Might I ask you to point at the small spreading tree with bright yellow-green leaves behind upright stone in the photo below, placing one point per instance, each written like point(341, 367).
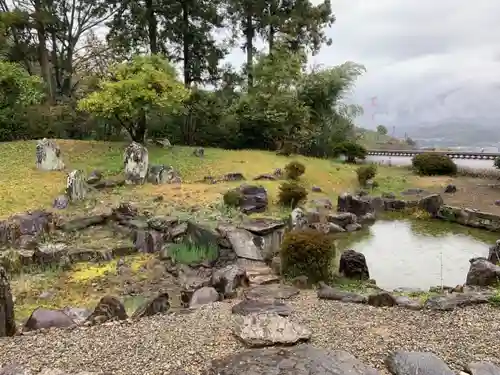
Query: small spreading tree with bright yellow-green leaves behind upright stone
point(134, 91)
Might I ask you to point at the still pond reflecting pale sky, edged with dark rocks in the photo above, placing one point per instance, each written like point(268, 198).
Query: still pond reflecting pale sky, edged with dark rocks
point(418, 254)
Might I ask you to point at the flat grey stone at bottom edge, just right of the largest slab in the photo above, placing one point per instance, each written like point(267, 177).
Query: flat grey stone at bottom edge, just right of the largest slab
point(416, 363)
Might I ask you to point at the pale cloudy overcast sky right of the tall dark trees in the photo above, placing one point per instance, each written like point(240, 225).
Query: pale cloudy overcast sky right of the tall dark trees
point(426, 60)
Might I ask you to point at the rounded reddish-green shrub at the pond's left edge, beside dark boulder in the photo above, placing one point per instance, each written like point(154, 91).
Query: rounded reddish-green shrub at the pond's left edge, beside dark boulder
point(309, 253)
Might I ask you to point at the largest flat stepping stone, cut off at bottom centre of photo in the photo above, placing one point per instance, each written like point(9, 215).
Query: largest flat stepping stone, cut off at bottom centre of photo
point(302, 359)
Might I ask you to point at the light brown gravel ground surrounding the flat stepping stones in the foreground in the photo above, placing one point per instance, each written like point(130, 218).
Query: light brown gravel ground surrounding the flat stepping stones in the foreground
point(161, 344)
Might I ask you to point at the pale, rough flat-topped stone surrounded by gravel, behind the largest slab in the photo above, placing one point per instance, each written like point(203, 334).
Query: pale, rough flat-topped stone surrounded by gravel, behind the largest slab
point(265, 329)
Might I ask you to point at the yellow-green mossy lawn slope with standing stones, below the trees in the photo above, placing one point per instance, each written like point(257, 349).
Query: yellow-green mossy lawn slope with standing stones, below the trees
point(23, 187)
